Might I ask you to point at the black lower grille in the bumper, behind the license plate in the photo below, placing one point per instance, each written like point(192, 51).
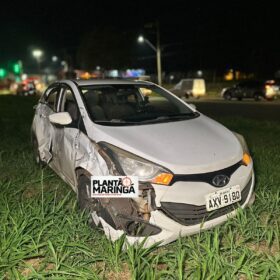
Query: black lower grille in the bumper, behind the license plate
point(188, 214)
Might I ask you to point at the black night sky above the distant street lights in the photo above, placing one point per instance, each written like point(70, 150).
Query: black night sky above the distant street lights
point(195, 35)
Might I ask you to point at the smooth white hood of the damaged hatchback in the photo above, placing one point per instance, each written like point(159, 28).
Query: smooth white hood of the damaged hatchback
point(192, 146)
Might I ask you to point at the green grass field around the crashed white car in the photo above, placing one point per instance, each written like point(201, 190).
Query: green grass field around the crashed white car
point(44, 235)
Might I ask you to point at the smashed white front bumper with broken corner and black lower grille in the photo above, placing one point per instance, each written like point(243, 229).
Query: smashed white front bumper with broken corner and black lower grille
point(161, 214)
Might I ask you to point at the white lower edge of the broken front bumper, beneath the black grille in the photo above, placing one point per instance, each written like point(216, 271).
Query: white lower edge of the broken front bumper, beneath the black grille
point(172, 229)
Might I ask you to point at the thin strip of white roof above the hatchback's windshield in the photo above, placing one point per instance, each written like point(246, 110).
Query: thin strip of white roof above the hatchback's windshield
point(90, 82)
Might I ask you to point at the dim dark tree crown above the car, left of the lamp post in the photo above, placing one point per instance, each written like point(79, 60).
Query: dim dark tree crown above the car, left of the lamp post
point(105, 47)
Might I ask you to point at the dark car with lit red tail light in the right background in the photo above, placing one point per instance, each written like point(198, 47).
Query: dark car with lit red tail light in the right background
point(245, 89)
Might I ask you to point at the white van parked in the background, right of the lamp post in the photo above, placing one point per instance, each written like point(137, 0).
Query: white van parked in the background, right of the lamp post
point(190, 88)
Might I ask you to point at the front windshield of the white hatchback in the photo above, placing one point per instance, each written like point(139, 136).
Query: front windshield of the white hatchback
point(126, 104)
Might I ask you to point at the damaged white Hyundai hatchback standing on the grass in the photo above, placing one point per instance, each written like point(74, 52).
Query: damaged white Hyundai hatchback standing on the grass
point(193, 172)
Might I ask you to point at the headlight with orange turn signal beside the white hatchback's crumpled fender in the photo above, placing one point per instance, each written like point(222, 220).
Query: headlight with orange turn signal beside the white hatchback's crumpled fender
point(132, 165)
